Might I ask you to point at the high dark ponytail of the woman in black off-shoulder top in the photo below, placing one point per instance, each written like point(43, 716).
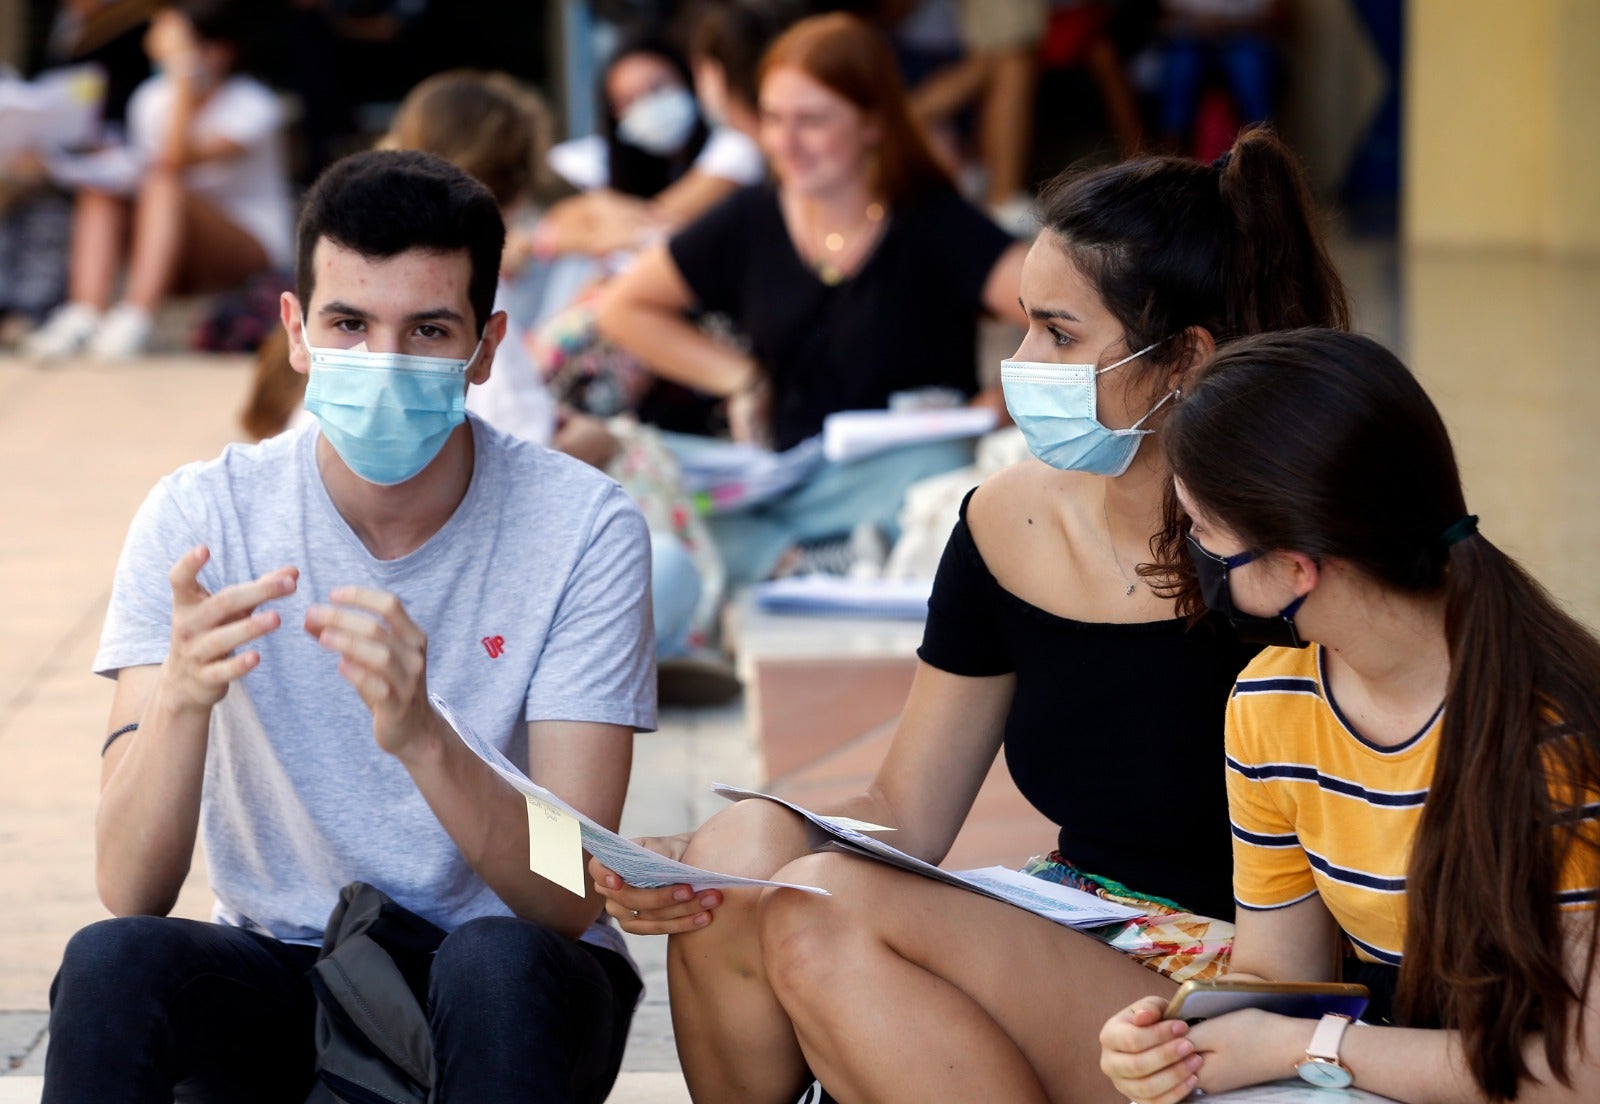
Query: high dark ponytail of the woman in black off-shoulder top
point(1279, 274)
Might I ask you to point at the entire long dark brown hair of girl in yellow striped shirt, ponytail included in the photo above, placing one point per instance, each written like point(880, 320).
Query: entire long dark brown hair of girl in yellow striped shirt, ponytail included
point(1324, 444)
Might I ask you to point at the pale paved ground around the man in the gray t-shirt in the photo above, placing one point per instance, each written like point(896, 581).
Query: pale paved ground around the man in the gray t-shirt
point(79, 449)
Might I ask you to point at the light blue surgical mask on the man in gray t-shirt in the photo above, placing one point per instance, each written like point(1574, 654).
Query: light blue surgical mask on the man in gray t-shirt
point(386, 414)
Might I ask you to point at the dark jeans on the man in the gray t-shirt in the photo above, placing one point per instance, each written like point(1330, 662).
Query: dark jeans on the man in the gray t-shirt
point(156, 1009)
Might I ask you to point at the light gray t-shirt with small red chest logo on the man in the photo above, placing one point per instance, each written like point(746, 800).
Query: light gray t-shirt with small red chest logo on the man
point(535, 598)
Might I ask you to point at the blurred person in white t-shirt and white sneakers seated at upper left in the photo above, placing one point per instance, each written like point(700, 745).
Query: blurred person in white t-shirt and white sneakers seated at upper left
point(207, 202)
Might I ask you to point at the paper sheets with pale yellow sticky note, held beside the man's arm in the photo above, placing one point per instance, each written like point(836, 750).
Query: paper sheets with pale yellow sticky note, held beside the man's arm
point(559, 834)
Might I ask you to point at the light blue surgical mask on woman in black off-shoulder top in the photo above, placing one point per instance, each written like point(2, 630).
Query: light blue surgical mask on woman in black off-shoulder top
point(1055, 409)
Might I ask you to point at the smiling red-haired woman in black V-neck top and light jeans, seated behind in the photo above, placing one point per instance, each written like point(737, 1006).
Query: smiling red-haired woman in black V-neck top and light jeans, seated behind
point(860, 274)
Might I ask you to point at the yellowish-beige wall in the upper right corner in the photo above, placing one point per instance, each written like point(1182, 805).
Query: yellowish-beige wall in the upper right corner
point(1503, 126)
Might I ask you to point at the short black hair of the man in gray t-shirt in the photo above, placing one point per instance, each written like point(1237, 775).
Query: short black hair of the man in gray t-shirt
point(385, 202)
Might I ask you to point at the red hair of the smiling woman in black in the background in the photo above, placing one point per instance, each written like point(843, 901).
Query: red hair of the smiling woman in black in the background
point(854, 60)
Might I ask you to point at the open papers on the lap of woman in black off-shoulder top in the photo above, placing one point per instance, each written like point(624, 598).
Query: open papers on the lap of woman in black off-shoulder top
point(1058, 903)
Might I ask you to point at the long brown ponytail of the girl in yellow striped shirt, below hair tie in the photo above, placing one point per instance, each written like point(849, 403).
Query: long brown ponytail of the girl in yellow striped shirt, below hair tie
point(1519, 759)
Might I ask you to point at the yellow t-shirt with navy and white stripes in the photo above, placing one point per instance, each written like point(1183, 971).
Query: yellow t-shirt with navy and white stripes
point(1318, 809)
